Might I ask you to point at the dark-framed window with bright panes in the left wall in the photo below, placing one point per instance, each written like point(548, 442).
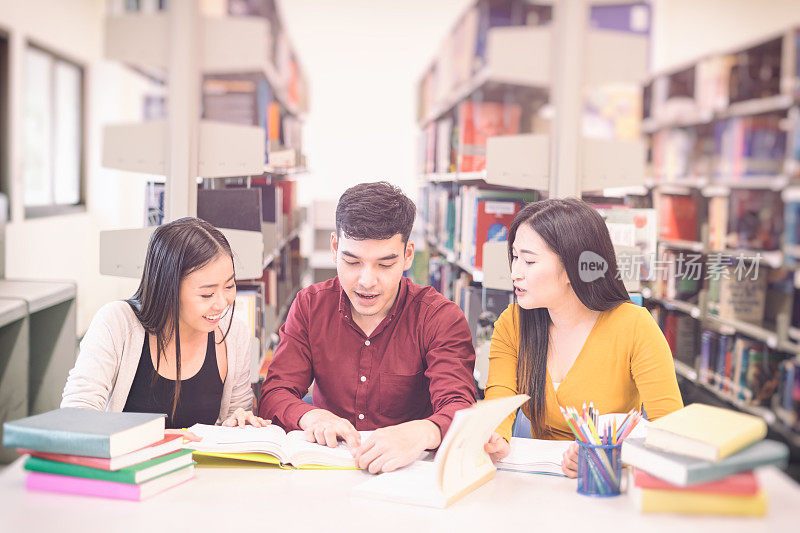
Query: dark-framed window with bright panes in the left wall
point(53, 134)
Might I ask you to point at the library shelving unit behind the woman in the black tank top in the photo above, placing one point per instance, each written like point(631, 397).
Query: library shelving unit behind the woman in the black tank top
point(229, 146)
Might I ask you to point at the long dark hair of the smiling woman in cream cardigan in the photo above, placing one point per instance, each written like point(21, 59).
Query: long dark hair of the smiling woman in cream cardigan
point(176, 249)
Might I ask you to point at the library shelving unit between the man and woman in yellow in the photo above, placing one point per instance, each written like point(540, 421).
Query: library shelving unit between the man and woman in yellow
point(500, 117)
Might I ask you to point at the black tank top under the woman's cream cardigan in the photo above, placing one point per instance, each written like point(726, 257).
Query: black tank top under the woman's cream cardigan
point(200, 395)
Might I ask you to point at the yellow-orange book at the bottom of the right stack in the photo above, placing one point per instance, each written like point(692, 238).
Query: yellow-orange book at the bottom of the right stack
point(670, 501)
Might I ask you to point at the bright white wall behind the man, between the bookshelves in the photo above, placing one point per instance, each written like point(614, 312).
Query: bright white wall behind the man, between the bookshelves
point(364, 60)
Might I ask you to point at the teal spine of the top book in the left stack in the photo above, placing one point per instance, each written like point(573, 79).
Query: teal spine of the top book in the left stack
point(65, 442)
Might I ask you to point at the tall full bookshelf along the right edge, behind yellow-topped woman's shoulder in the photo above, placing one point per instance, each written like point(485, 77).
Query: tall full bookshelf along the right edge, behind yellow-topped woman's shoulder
point(724, 150)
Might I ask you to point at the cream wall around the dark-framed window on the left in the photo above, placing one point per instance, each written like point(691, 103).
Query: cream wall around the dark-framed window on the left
point(66, 247)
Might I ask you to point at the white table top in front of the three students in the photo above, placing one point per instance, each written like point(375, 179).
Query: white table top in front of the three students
point(268, 499)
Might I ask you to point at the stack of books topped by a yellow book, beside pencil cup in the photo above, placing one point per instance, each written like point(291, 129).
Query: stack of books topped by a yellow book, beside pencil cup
point(700, 460)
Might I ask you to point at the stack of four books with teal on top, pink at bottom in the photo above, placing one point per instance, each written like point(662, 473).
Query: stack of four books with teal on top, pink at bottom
point(123, 456)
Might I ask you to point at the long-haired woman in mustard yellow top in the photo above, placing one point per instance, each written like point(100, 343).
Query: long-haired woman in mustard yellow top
point(573, 336)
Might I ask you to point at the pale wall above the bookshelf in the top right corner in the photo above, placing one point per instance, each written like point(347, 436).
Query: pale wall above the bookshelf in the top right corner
point(684, 30)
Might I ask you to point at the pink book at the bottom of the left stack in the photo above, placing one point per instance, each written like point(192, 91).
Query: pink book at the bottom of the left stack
point(106, 489)
